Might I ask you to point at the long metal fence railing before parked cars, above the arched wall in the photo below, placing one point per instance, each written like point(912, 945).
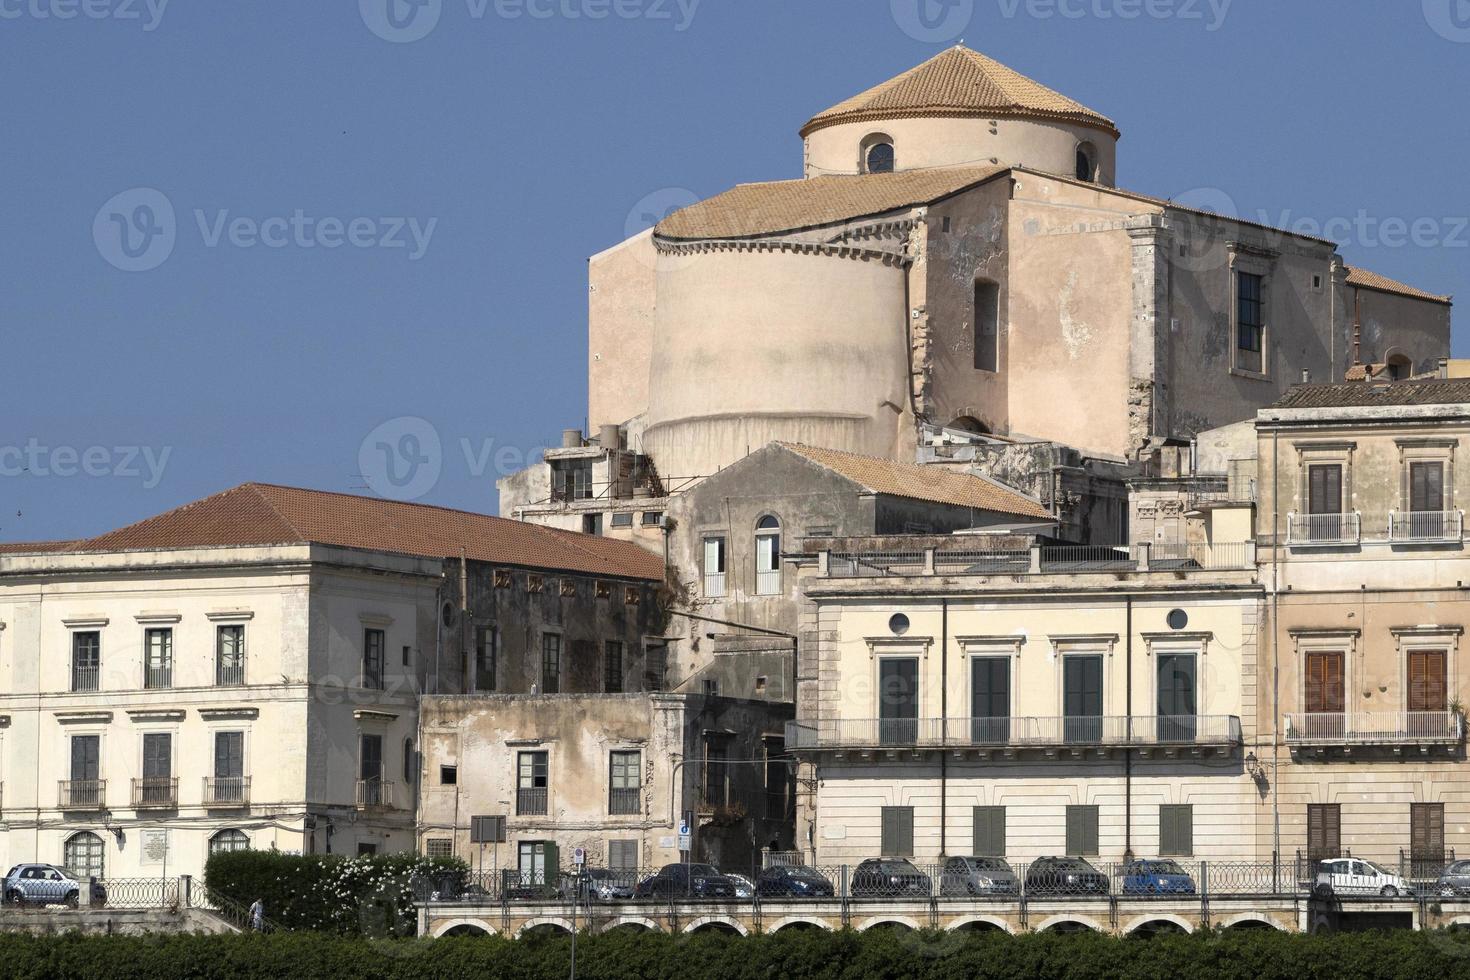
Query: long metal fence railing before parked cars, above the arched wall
point(955, 879)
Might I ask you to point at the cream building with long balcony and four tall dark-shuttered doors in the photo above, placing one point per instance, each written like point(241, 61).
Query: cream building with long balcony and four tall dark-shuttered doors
point(961, 696)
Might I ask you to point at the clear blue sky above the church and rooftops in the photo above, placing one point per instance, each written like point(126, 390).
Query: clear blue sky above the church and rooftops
point(373, 230)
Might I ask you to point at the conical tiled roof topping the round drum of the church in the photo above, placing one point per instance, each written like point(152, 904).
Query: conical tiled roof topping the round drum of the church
point(961, 83)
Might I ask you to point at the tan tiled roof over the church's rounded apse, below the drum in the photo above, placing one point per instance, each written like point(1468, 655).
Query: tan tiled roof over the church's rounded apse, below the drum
point(767, 209)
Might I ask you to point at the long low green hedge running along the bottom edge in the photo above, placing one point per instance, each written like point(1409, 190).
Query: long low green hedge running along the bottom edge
point(789, 956)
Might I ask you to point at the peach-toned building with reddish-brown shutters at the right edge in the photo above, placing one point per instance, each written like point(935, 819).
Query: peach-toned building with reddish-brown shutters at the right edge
point(1363, 555)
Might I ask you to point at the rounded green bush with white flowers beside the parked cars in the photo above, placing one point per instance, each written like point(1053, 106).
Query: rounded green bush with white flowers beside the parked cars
point(358, 897)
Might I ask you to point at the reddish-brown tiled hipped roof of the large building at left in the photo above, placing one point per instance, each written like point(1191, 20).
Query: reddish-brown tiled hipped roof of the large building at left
point(267, 515)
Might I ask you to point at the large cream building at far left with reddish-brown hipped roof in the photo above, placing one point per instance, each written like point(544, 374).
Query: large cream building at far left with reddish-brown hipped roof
point(245, 672)
